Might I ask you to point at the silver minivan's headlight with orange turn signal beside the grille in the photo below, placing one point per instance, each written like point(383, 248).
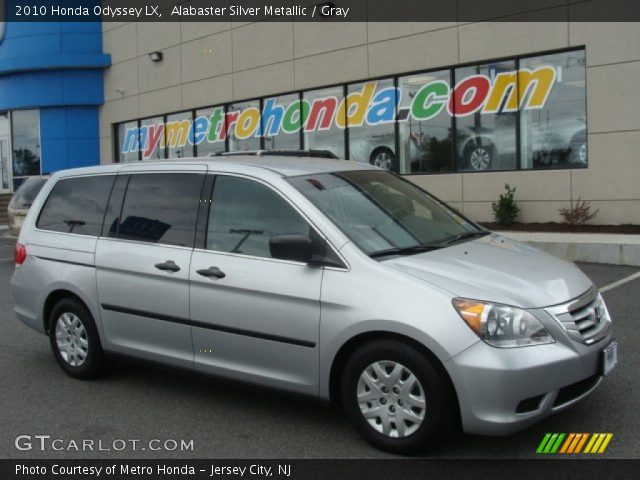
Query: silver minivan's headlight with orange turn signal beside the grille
point(502, 326)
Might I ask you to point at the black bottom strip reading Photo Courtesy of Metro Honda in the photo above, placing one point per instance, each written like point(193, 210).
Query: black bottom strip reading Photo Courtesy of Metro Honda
point(405, 469)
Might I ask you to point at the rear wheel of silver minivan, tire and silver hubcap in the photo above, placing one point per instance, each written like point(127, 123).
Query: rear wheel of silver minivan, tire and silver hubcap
point(74, 339)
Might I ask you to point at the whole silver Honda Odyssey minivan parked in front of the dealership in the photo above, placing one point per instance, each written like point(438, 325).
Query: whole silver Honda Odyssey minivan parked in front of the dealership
point(322, 277)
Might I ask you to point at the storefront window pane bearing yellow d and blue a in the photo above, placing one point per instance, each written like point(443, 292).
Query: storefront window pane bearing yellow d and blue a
point(371, 111)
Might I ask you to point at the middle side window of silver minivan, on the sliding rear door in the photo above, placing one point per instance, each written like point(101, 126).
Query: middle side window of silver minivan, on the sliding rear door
point(161, 208)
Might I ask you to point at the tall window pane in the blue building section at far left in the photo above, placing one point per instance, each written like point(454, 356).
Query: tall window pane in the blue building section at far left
point(25, 129)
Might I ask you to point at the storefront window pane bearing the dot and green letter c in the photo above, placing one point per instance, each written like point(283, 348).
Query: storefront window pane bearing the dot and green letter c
point(426, 133)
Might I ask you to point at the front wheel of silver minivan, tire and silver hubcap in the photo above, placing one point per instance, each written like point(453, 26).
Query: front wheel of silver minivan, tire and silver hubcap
point(396, 398)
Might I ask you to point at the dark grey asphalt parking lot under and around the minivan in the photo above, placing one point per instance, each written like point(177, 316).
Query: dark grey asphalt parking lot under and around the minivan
point(233, 421)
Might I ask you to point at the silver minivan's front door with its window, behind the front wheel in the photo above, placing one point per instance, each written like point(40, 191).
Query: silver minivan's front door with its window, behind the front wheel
point(254, 317)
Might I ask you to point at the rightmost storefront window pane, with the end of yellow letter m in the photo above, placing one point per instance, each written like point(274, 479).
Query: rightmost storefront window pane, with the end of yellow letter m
point(555, 136)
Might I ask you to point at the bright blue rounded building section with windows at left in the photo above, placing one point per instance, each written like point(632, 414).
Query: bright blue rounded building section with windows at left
point(51, 86)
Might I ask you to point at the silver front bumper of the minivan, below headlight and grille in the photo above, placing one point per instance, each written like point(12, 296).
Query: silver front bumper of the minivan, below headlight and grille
point(504, 390)
